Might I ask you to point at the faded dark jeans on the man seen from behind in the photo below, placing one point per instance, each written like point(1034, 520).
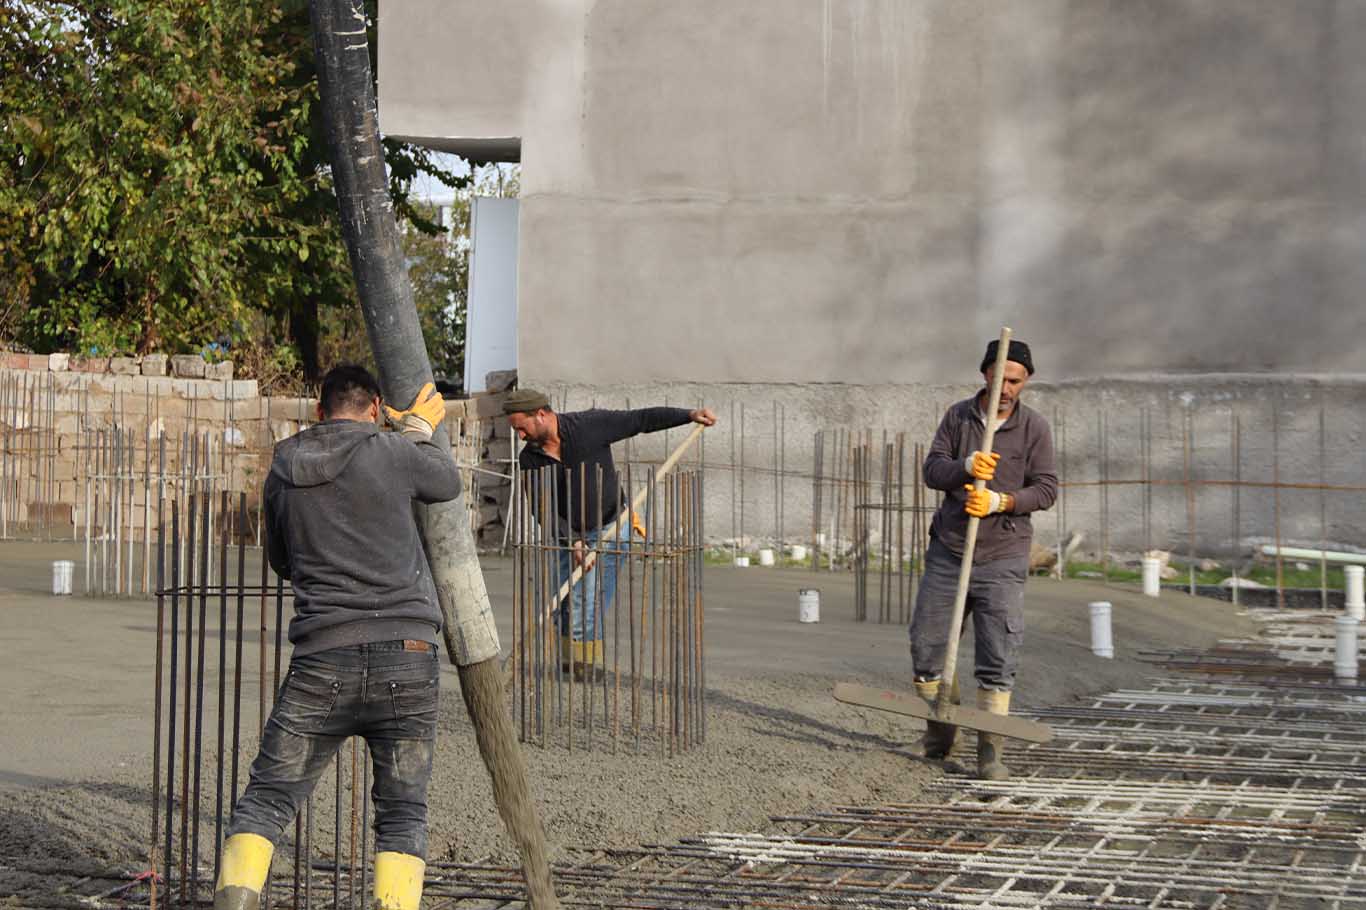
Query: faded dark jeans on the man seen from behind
point(386, 692)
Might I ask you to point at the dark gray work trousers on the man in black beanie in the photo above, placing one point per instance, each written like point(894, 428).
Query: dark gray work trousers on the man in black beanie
point(995, 603)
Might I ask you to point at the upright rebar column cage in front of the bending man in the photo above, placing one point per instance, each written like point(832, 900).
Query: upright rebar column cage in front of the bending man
point(645, 688)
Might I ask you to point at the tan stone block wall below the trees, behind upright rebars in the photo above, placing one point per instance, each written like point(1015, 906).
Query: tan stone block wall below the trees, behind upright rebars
point(79, 434)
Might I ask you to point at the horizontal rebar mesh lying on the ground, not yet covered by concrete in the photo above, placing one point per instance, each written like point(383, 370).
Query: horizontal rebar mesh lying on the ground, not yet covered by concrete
point(1212, 790)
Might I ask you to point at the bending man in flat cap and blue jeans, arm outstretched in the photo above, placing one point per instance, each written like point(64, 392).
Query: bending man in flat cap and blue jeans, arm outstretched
point(580, 445)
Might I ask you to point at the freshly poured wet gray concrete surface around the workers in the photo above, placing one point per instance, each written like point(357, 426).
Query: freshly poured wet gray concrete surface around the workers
point(76, 734)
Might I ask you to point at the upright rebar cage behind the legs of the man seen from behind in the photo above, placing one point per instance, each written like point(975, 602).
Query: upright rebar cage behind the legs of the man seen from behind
point(208, 616)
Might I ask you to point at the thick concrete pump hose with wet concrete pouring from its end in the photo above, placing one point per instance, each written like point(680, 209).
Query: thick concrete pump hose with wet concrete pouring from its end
point(372, 237)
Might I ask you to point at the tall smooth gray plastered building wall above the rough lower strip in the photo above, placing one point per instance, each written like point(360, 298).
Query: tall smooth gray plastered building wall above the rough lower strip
point(863, 192)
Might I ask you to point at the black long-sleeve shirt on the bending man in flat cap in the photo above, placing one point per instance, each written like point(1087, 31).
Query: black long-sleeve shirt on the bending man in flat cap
point(587, 446)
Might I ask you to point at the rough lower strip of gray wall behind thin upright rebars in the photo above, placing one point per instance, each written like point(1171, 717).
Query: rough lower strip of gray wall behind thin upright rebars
point(1114, 428)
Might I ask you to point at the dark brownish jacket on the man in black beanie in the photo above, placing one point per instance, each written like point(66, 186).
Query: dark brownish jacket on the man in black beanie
point(1027, 471)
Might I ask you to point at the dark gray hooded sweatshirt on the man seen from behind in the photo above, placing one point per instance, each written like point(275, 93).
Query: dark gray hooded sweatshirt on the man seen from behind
point(341, 528)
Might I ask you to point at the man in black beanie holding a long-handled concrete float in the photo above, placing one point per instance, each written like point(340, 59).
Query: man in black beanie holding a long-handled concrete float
point(1021, 480)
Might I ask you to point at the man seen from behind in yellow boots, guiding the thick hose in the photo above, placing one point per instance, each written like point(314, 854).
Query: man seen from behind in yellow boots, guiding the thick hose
point(341, 528)
